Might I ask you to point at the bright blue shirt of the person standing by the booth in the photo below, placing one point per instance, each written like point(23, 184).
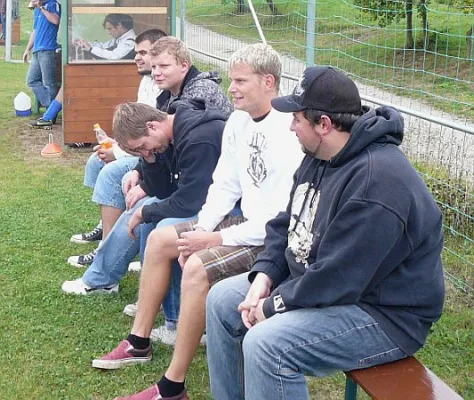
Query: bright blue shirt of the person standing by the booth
point(46, 33)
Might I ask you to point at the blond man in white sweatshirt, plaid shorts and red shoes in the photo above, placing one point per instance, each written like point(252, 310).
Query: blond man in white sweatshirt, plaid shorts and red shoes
point(259, 157)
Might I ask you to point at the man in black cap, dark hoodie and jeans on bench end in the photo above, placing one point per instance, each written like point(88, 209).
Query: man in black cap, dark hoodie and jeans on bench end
point(351, 274)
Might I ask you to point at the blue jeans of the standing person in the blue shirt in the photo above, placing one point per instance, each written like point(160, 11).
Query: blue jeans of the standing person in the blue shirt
point(41, 77)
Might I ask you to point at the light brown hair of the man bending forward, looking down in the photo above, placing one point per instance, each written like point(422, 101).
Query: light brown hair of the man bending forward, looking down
point(129, 122)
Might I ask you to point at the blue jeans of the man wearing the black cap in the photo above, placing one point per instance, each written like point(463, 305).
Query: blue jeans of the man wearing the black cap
point(270, 360)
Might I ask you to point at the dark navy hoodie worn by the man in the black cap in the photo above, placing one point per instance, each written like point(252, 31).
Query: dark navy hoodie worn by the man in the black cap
point(360, 229)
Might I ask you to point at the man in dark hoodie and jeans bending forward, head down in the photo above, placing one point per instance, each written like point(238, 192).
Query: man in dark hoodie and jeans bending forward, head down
point(178, 178)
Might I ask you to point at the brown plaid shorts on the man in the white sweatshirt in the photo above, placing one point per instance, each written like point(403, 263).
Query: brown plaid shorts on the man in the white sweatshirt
point(223, 262)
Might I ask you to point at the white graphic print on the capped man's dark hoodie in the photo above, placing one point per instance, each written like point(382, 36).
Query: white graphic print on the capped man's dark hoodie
point(300, 230)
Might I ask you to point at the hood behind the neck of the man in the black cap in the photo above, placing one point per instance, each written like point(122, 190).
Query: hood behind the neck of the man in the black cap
point(382, 125)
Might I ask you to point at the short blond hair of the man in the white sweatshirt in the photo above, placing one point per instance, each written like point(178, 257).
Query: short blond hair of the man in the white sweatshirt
point(262, 58)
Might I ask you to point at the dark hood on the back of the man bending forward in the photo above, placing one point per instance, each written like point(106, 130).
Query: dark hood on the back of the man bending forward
point(190, 113)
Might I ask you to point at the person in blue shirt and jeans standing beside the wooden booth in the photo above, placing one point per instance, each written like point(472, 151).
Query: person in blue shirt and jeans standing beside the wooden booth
point(41, 76)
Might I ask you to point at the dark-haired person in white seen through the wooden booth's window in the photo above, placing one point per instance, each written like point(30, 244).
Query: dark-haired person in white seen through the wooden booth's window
point(120, 47)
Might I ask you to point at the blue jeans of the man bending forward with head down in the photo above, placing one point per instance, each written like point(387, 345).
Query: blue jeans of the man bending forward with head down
point(118, 249)
